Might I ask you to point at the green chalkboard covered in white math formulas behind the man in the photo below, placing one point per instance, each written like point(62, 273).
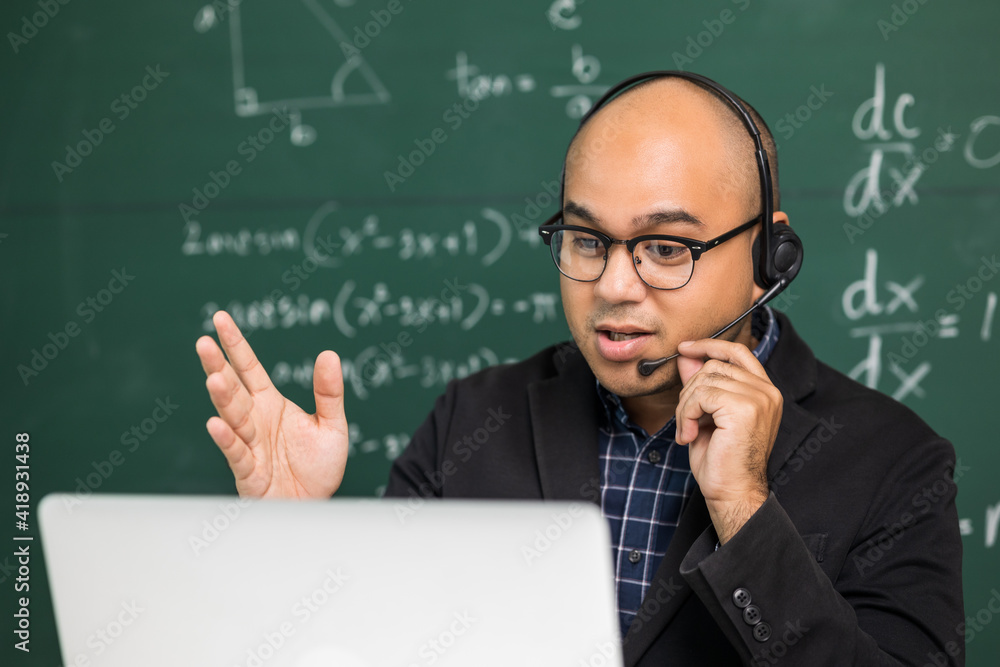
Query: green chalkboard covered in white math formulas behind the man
point(333, 172)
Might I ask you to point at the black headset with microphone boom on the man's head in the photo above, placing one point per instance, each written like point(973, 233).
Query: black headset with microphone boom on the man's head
point(777, 250)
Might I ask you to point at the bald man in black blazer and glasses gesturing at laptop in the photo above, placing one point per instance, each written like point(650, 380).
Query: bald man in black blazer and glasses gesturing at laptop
point(763, 507)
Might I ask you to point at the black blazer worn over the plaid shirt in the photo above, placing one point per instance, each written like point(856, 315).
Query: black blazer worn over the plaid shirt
point(854, 559)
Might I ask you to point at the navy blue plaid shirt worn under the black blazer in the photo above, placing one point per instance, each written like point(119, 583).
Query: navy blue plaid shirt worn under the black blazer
point(645, 482)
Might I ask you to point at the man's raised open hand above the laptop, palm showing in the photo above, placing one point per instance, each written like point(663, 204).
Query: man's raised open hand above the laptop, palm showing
point(273, 447)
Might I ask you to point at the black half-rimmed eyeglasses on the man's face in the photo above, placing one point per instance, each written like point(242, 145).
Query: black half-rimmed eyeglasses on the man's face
point(662, 262)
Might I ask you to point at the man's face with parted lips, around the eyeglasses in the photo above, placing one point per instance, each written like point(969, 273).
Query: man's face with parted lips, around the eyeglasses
point(657, 165)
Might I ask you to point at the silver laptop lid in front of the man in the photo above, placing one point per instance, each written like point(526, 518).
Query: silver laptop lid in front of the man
point(215, 580)
